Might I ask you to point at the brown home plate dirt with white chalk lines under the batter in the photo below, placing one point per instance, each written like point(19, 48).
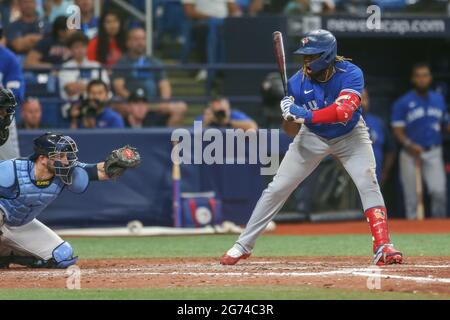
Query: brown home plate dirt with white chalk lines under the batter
point(429, 275)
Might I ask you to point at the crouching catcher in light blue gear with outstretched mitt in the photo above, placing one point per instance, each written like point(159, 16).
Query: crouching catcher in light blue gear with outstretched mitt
point(29, 185)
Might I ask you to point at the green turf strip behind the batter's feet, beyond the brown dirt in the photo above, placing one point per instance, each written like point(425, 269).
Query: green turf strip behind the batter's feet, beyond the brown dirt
point(213, 246)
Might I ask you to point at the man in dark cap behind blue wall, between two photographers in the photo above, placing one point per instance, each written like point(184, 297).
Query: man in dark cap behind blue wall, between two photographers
point(139, 116)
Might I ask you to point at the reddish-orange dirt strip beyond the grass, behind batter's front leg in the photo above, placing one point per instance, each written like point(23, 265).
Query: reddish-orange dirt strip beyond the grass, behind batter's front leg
point(361, 227)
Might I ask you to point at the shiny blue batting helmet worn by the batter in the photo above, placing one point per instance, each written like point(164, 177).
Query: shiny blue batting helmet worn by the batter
point(319, 41)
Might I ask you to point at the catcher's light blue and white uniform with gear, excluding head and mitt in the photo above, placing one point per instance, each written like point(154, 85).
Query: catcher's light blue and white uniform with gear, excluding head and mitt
point(23, 239)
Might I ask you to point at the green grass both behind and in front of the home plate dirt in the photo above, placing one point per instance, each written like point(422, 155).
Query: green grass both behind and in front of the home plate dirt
point(213, 246)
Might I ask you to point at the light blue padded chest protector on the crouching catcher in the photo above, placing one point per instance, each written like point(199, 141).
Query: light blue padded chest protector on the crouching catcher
point(29, 200)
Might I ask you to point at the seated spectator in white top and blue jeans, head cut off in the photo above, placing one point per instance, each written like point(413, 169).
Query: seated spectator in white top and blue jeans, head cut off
point(207, 17)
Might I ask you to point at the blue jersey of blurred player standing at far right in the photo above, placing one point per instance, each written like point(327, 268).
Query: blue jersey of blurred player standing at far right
point(421, 116)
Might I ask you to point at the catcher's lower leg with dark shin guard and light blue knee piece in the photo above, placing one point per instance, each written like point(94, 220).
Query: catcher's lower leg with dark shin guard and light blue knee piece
point(62, 257)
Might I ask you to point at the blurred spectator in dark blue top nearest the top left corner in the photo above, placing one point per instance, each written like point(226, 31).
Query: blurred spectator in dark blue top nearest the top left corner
point(23, 34)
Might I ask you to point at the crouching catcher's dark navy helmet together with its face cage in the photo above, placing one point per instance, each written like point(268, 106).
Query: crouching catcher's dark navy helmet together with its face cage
point(60, 148)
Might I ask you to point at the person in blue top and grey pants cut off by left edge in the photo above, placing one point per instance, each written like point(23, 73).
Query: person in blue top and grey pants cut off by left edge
point(11, 77)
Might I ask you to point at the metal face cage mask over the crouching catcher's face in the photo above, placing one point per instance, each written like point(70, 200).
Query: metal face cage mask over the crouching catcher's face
point(65, 158)
